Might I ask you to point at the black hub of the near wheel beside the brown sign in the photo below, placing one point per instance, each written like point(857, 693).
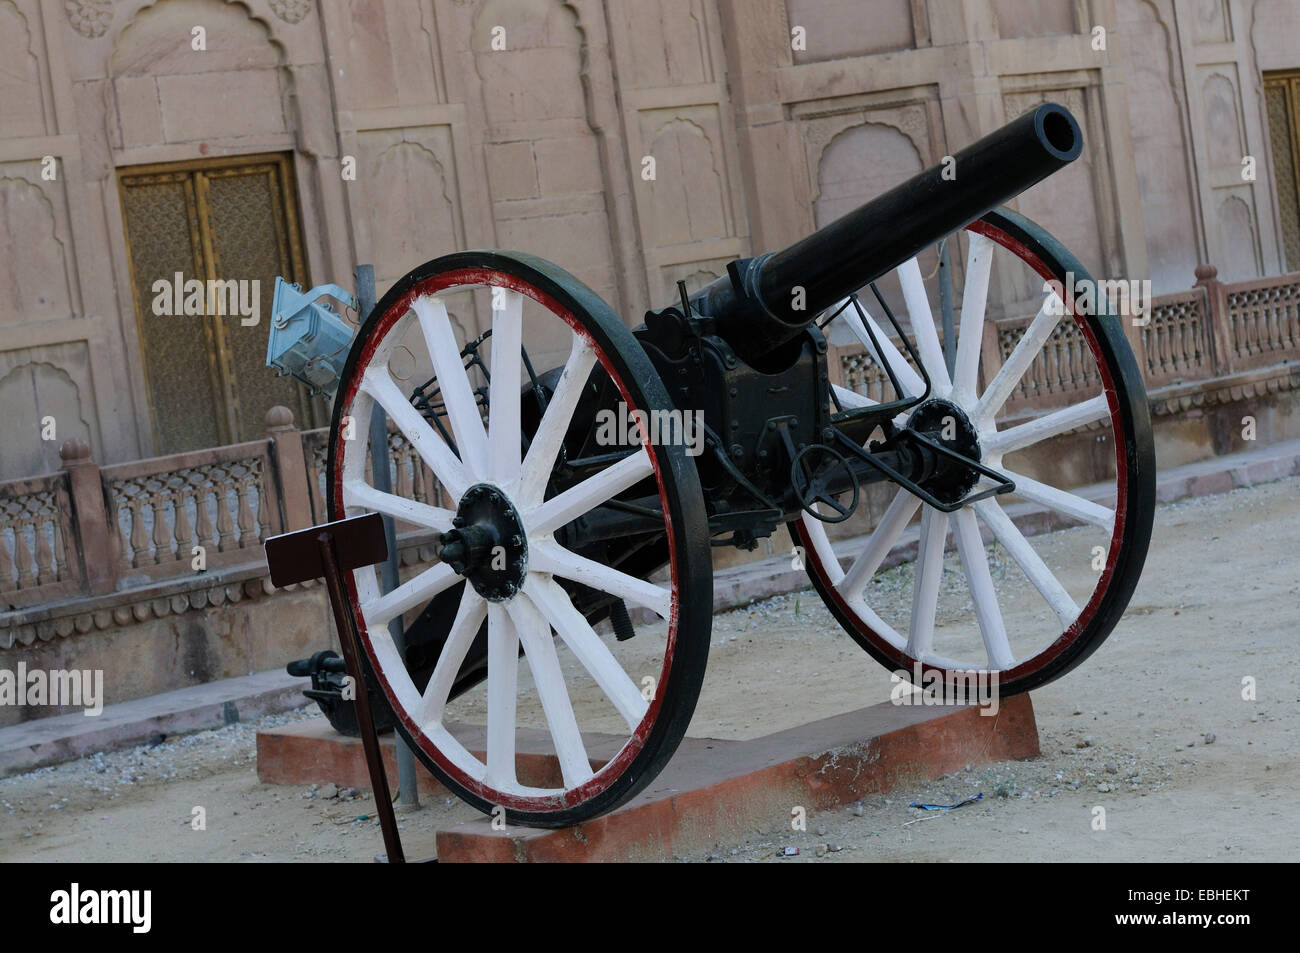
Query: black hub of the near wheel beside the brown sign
point(487, 544)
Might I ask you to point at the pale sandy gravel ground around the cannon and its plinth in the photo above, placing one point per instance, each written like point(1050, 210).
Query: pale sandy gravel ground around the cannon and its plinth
point(1154, 730)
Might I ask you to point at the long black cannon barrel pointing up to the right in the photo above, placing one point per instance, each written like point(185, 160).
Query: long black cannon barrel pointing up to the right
point(756, 305)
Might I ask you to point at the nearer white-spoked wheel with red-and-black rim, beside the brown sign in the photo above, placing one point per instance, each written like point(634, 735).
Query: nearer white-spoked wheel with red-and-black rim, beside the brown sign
point(569, 724)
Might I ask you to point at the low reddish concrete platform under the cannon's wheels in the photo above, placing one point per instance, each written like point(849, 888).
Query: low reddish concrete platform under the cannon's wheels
point(712, 790)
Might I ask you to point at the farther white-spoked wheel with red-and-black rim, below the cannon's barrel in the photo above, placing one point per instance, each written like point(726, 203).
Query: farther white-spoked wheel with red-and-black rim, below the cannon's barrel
point(1029, 608)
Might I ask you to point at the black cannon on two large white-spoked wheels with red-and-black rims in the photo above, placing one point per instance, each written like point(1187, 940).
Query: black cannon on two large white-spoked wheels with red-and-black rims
point(573, 475)
